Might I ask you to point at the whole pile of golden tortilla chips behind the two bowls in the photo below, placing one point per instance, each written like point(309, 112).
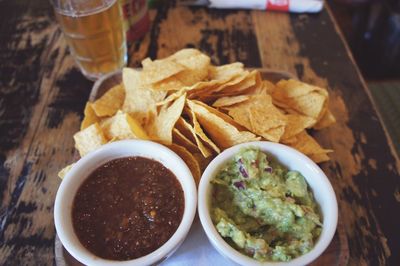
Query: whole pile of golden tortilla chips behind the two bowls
point(198, 109)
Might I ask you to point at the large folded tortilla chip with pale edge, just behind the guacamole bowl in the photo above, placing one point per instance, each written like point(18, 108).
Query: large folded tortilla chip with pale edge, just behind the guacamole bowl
point(223, 133)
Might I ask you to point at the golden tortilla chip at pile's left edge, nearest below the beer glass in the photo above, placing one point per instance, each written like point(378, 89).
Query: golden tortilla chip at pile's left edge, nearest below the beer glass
point(110, 102)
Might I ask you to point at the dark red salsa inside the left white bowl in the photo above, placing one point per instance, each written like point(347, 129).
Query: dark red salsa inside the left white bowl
point(127, 208)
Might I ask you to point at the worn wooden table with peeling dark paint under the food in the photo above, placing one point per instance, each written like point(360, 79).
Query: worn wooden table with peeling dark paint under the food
point(42, 95)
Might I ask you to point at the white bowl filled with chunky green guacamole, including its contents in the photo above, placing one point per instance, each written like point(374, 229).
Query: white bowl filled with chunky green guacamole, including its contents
point(263, 203)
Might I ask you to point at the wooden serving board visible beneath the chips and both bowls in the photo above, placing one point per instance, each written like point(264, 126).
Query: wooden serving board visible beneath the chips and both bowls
point(337, 252)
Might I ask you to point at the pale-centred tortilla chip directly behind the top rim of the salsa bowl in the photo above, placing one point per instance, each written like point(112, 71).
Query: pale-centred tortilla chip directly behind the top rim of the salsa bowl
point(122, 126)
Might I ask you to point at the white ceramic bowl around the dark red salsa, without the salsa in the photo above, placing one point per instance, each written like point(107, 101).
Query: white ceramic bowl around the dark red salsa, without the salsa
point(81, 170)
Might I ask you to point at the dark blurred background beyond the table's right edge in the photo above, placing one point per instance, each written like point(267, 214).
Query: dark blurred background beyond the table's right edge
point(372, 31)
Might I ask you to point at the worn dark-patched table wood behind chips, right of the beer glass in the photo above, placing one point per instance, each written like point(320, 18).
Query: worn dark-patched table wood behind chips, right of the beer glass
point(227, 36)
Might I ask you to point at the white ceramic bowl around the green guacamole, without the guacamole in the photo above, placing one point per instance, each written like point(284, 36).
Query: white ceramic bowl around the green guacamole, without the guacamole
point(293, 160)
